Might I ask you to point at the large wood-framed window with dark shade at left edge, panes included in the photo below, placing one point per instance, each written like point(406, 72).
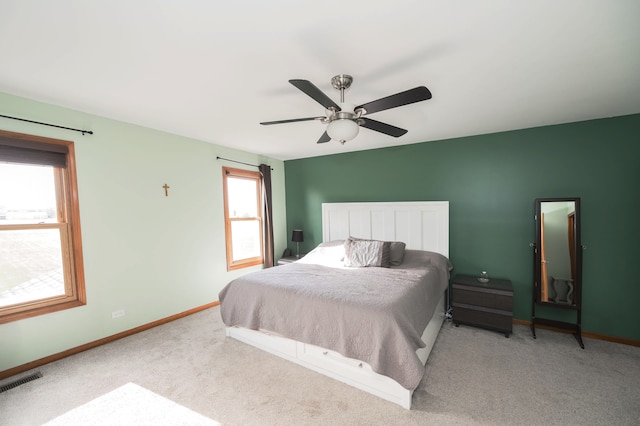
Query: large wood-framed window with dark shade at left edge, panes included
point(41, 267)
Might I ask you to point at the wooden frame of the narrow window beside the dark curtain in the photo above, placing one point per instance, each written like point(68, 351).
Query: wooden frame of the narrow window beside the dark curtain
point(242, 174)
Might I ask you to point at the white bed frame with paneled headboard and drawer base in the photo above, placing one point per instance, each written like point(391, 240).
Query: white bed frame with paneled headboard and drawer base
point(422, 226)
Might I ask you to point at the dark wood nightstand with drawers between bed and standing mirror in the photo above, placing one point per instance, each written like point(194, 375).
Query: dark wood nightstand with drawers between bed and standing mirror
point(488, 305)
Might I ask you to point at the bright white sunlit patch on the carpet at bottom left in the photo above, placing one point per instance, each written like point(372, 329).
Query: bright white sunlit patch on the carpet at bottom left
point(131, 405)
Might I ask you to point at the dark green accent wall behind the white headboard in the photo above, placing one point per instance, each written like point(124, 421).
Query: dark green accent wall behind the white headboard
point(491, 182)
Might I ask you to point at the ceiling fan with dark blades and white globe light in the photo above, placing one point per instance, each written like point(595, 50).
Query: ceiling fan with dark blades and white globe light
point(344, 120)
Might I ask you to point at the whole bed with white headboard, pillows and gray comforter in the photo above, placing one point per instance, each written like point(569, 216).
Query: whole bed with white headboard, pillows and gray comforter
point(370, 327)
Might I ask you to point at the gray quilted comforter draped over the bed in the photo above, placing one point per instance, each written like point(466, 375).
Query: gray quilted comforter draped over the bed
point(376, 315)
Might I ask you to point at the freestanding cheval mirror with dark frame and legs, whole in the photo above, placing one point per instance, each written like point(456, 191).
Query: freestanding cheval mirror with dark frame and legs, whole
point(557, 262)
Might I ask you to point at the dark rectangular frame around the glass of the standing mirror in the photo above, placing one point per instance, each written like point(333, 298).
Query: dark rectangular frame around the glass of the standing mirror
point(577, 283)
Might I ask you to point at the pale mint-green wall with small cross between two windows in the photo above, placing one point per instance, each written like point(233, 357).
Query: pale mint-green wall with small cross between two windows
point(151, 255)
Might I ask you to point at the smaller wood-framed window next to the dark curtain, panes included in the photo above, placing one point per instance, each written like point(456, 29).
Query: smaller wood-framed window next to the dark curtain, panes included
point(243, 217)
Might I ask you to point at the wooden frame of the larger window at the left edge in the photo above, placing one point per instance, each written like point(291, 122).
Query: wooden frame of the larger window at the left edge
point(68, 212)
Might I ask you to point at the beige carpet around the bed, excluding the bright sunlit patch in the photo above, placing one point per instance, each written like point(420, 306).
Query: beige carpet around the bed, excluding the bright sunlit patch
point(473, 377)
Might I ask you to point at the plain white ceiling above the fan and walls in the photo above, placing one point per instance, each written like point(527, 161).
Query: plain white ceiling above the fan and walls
point(212, 70)
